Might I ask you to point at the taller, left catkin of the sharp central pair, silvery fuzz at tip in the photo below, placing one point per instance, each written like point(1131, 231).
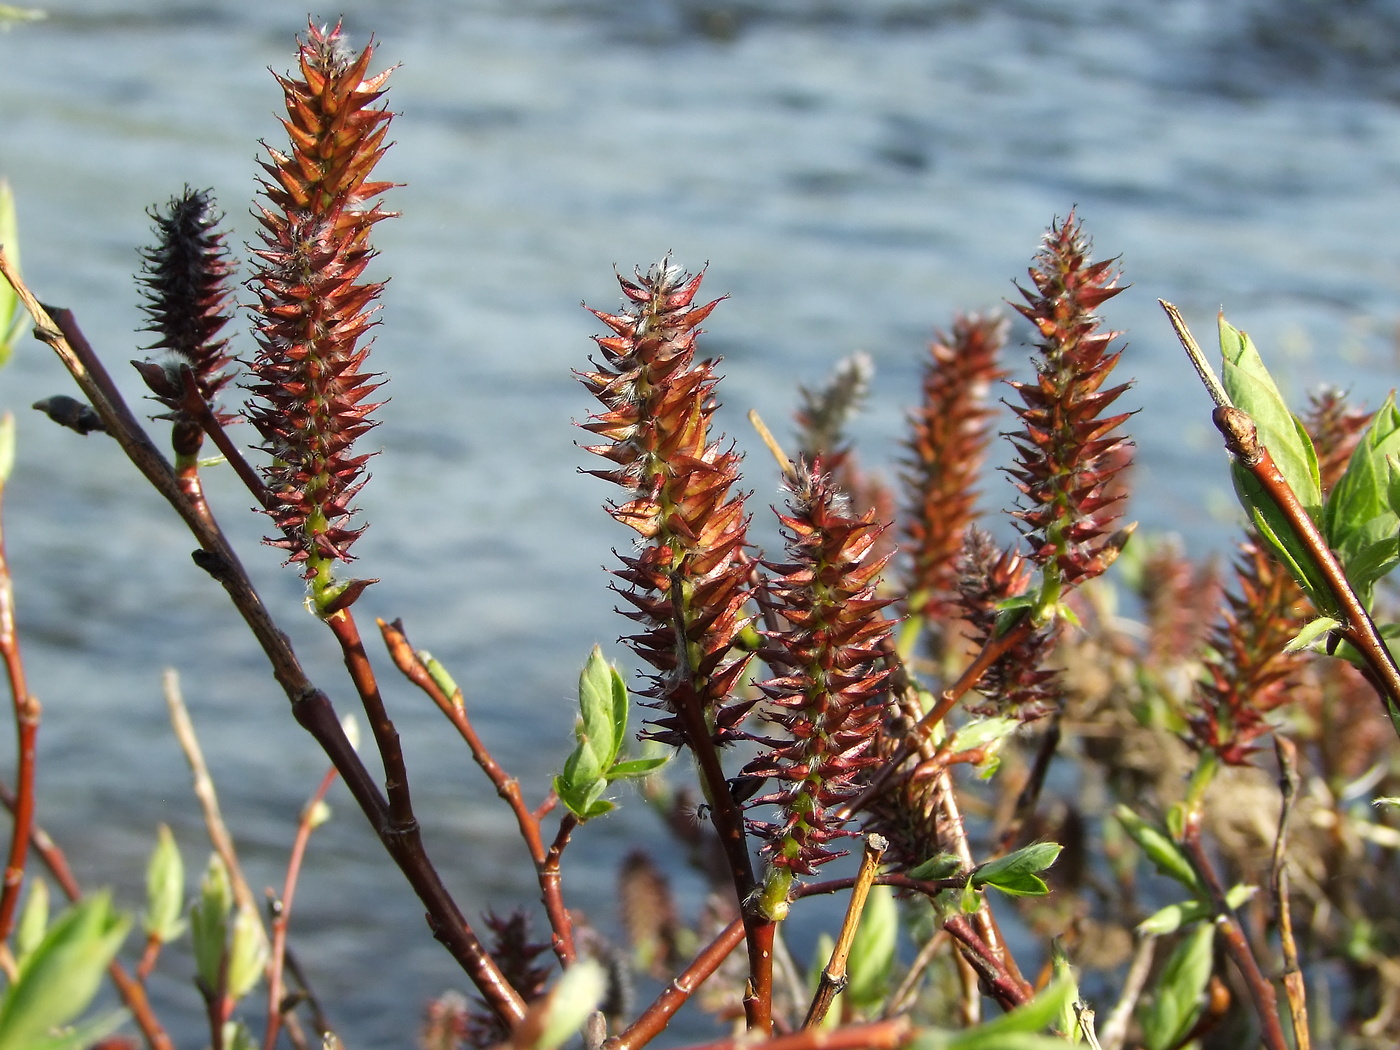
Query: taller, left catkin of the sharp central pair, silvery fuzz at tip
point(689, 580)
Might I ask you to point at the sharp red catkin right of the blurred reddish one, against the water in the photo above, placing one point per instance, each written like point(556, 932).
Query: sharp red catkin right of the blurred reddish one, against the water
point(1069, 454)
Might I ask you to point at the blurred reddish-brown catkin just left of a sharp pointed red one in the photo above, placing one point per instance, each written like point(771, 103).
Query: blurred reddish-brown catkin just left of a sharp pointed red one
point(950, 435)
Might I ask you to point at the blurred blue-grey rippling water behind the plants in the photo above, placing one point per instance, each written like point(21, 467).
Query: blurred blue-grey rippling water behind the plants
point(852, 173)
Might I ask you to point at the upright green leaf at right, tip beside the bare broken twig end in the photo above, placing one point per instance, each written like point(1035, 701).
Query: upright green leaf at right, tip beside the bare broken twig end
point(1252, 388)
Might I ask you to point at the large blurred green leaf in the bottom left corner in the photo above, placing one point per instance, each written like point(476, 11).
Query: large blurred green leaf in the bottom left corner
point(64, 974)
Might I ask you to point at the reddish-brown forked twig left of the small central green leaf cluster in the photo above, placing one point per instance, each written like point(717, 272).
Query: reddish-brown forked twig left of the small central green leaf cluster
point(547, 863)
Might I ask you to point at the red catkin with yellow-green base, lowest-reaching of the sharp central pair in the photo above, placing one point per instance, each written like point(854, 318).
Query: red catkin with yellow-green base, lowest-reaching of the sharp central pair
point(832, 698)
